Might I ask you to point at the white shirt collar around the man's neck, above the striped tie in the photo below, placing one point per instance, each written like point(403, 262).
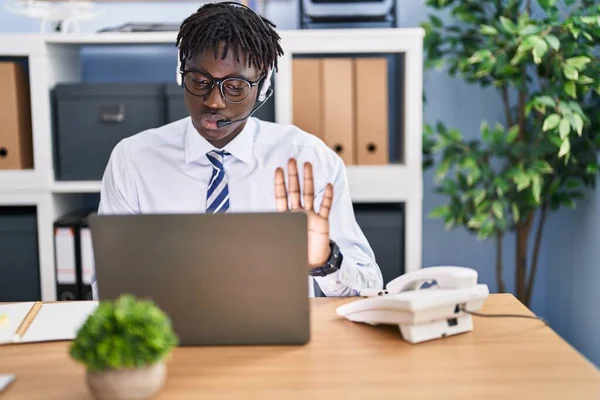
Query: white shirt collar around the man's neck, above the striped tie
point(241, 147)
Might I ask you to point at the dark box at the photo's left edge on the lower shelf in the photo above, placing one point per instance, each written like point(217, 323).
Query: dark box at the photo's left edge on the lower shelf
point(19, 257)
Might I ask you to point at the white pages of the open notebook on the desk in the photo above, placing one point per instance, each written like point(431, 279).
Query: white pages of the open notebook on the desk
point(55, 321)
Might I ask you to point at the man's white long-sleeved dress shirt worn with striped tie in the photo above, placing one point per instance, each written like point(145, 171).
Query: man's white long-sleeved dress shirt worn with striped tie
point(166, 170)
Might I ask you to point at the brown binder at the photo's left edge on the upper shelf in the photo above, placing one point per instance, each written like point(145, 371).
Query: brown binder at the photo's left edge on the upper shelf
point(16, 144)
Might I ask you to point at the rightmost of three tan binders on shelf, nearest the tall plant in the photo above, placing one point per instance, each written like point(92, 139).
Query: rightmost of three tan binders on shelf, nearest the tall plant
point(372, 114)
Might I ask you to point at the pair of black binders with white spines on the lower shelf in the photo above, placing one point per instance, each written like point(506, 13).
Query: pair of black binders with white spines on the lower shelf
point(74, 256)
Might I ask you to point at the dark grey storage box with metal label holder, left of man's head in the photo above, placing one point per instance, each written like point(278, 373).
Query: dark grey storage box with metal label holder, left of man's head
point(91, 118)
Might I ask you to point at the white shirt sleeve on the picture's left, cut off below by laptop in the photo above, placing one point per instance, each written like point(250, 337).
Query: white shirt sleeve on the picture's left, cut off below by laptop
point(118, 193)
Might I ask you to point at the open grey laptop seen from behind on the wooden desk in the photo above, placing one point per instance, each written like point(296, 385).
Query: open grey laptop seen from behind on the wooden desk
point(223, 279)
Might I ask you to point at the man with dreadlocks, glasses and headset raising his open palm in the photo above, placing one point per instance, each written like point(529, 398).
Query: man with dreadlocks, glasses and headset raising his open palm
point(221, 159)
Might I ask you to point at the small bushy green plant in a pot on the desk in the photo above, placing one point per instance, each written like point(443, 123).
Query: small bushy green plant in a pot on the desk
point(124, 344)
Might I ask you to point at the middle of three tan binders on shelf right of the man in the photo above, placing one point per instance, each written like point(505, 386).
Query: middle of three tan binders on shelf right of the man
point(338, 105)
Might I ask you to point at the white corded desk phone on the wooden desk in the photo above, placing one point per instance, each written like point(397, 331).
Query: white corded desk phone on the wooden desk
point(422, 314)
